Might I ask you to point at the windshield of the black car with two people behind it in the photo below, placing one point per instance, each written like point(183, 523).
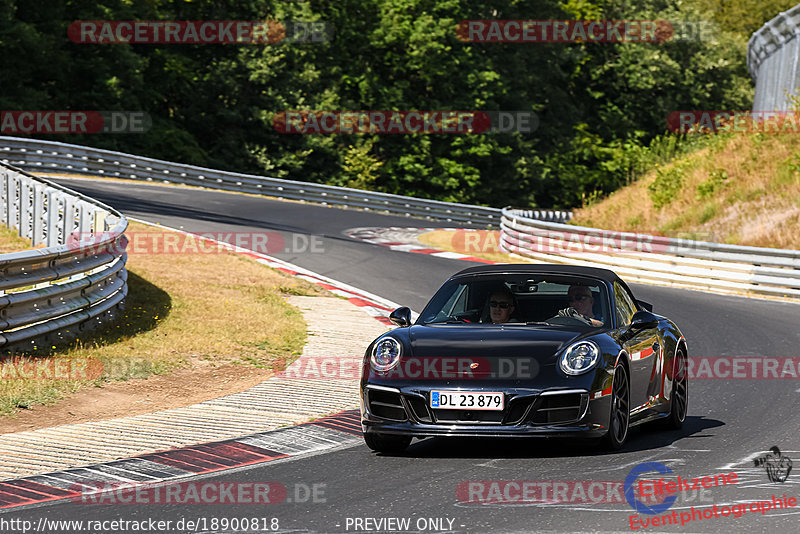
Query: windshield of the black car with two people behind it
point(521, 299)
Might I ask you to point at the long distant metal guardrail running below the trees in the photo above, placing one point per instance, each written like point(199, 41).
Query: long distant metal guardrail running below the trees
point(47, 156)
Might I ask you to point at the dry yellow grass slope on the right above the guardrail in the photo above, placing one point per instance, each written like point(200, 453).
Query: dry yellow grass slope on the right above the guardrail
point(742, 189)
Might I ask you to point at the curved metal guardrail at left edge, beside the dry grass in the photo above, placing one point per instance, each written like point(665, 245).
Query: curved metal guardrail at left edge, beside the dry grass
point(76, 280)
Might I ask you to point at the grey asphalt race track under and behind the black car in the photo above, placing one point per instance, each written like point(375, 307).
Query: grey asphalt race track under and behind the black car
point(729, 421)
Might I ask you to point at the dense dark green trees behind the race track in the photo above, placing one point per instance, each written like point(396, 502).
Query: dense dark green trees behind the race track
point(602, 107)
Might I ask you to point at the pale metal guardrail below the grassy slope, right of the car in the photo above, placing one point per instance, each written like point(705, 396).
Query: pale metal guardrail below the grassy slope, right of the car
point(653, 259)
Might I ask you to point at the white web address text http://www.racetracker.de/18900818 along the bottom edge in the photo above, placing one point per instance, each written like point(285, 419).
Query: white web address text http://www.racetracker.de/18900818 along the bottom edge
point(196, 524)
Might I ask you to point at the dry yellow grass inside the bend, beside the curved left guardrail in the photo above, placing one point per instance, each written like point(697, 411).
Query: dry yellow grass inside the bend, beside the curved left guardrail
point(183, 311)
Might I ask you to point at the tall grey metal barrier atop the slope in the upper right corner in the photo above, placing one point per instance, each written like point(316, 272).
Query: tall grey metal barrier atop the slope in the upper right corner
point(772, 59)
